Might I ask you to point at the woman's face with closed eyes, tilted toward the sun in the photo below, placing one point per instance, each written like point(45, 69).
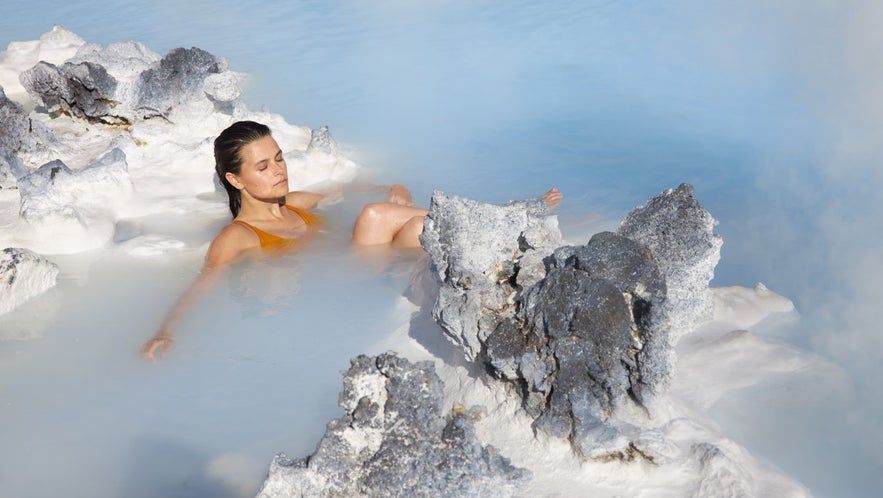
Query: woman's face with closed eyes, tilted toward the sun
point(264, 174)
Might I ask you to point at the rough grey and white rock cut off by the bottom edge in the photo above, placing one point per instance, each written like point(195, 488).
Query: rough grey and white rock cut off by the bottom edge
point(394, 441)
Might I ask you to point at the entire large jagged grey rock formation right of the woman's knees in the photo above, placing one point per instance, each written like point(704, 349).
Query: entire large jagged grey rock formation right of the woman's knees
point(582, 332)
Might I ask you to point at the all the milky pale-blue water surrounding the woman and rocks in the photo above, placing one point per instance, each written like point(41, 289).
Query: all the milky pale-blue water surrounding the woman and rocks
point(772, 112)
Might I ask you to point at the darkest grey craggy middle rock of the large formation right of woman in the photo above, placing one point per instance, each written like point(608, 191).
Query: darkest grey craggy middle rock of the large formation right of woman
point(597, 342)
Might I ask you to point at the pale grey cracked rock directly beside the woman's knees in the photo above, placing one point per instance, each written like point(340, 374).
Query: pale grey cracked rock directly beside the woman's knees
point(482, 254)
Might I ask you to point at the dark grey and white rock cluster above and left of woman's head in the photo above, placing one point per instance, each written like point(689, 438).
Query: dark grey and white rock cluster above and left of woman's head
point(125, 82)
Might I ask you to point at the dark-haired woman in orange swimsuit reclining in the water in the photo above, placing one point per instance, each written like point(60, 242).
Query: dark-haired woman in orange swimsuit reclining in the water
point(268, 218)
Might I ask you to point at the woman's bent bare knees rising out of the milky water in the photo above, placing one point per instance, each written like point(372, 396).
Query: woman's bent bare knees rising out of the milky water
point(389, 223)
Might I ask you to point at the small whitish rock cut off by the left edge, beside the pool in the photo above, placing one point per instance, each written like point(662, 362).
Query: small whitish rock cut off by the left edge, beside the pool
point(23, 275)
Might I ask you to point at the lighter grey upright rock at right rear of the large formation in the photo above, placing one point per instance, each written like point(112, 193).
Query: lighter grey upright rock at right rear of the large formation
point(679, 232)
